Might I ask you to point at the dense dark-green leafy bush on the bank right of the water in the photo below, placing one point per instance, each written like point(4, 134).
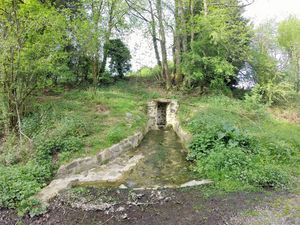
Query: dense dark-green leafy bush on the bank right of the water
point(225, 153)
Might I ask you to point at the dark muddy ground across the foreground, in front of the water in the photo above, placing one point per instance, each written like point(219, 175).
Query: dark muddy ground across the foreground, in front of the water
point(167, 207)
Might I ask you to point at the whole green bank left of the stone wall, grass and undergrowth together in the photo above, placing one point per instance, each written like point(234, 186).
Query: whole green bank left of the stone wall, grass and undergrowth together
point(64, 126)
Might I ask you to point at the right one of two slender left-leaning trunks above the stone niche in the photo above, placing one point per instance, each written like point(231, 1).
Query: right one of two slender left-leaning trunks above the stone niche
point(165, 67)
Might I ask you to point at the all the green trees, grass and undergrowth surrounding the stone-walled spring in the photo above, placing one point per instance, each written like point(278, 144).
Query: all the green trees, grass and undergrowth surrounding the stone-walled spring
point(61, 99)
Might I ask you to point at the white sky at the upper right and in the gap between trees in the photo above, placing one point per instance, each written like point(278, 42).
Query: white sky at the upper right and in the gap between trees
point(261, 10)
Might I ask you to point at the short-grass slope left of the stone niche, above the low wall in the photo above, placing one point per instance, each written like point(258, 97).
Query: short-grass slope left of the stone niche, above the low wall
point(110, 115)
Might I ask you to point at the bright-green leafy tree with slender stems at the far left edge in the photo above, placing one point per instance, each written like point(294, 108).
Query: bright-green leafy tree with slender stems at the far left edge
point(31, 49)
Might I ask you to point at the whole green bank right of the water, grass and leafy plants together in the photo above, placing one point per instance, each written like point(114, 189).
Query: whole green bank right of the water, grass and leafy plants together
point(240, 145)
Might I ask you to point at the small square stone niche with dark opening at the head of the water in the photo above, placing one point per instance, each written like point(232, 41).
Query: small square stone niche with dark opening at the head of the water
point(162, 113)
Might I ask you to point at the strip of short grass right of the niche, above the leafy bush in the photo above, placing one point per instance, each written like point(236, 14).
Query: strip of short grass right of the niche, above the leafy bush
point(262, 124)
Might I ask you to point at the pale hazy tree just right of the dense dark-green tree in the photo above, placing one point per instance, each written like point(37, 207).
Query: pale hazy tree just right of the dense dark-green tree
point(268, 65)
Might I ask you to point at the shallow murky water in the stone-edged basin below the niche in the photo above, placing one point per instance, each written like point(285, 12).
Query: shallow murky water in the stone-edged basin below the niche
point(164, 163)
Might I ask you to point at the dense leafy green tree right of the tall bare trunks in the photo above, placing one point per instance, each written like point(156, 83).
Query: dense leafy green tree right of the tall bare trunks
point(220, 47)
